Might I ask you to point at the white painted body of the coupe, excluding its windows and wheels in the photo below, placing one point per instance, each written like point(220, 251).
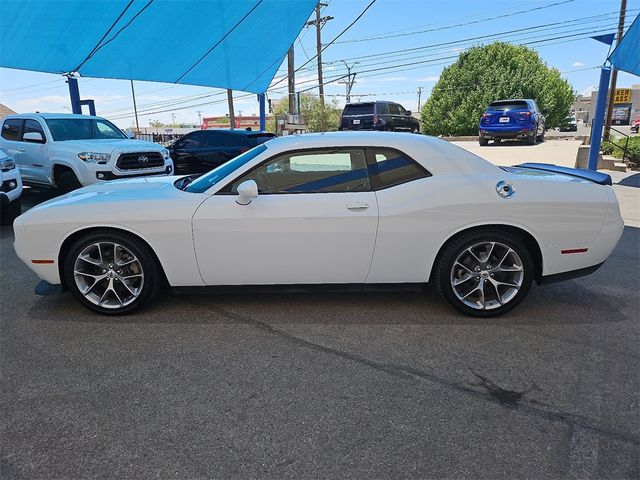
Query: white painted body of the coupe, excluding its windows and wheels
point(392, 235)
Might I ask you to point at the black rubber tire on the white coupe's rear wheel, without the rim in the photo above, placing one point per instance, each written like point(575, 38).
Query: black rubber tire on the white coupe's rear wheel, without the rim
point(443, 271)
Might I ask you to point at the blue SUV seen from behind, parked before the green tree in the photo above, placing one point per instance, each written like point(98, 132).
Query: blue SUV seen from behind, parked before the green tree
point(517, 118)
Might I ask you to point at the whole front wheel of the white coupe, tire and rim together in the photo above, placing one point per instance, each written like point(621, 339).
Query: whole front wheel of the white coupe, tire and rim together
point(112, 273)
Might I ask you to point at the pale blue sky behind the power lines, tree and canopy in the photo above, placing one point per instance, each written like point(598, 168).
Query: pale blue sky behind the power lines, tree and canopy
point(436, 31)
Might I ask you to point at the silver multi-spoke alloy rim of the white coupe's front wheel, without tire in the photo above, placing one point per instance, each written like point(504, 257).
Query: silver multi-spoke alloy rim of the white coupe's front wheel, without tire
point(108, 275)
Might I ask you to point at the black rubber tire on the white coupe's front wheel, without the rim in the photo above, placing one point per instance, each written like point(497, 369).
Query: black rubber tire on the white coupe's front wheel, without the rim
point(153, 275)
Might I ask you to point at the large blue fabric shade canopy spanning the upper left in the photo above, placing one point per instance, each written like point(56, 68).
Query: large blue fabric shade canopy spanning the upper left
point(237, 44)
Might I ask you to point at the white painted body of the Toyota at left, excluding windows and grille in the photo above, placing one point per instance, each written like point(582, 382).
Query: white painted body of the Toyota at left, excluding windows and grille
point(41, 161)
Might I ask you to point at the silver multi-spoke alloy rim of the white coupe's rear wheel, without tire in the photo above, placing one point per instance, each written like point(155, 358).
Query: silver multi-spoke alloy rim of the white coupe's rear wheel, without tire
point(487, 275)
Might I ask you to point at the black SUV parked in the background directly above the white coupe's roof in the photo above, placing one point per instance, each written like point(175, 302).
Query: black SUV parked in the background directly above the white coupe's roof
point(388, 116)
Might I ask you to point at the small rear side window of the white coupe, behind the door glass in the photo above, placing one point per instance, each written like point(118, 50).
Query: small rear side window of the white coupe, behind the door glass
point(390, 167)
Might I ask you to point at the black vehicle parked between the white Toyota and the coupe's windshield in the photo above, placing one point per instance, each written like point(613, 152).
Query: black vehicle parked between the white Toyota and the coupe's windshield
point(203, 150)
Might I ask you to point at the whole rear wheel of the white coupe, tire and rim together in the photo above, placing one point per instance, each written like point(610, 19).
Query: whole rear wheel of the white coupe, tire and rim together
point(484, 273)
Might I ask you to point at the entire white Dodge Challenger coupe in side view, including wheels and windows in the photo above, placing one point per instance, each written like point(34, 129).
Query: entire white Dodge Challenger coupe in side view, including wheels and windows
point(338, 210)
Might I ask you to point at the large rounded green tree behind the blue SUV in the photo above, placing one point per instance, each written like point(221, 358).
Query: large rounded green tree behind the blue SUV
point(484, 74)
